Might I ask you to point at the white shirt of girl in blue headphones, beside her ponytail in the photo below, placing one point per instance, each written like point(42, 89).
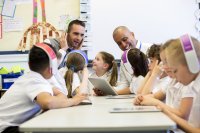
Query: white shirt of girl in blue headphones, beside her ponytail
point(76, 79)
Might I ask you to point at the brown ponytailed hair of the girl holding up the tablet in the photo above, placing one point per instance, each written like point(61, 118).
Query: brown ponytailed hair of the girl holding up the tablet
point(110, 60)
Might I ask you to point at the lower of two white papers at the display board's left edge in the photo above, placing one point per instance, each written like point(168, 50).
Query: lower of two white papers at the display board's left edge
point(12, 24)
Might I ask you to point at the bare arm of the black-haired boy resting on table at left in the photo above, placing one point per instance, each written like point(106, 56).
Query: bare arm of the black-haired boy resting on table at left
point(59, 100)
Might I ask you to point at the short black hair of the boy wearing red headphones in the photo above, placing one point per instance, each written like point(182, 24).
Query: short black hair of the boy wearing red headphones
point(38, 59)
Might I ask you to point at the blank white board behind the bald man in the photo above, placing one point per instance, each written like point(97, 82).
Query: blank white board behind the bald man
point(152, 21)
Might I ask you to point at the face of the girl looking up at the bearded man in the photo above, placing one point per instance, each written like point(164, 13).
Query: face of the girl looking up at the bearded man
point(98, 63)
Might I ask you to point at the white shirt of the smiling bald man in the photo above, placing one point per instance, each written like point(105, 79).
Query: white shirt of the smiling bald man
point(125, 77)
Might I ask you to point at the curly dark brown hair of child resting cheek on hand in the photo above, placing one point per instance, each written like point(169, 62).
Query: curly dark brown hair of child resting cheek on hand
point(154, 52)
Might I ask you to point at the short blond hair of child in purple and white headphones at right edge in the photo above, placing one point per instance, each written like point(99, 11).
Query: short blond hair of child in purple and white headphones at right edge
point(174, 51)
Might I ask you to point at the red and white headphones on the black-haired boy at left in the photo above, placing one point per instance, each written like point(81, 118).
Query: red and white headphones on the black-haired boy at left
point(52, 56)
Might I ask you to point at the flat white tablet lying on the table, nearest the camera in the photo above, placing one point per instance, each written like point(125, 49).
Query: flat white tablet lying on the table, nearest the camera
point(134, 109)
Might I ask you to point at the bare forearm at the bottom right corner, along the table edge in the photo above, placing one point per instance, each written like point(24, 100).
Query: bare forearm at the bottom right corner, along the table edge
point(183, 124)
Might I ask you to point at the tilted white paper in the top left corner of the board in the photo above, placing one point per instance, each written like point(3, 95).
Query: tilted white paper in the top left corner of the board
point(8, 8)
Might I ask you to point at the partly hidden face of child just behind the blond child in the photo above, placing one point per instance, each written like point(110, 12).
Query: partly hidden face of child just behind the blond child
point(166, 68)
